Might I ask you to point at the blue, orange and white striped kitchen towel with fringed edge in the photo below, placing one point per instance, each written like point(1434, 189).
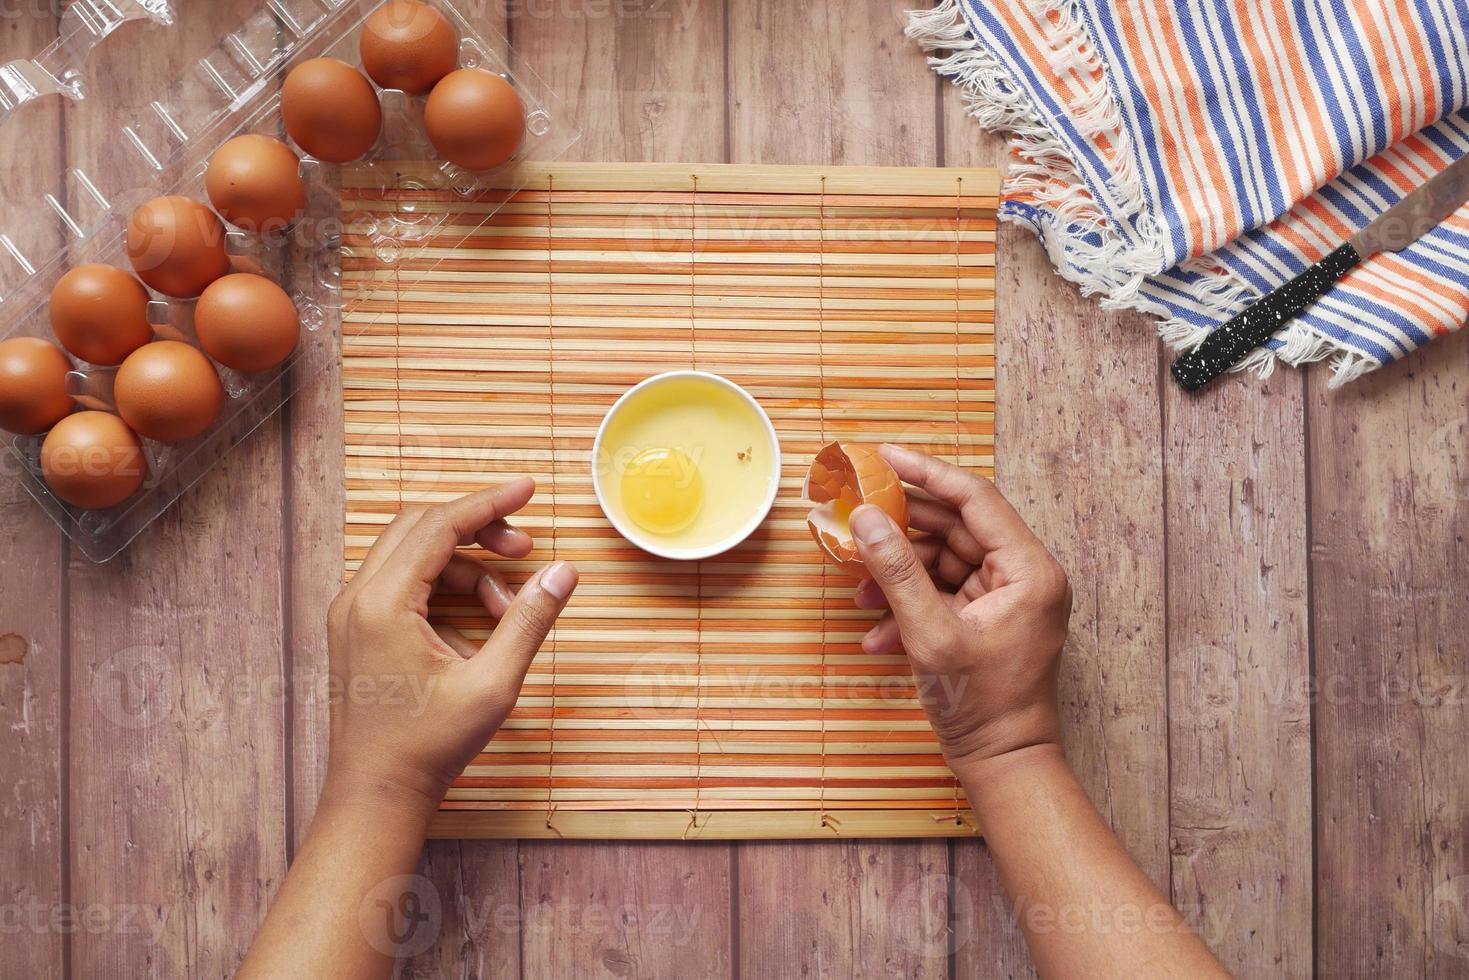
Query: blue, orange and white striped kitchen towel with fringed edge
point(1188, 156)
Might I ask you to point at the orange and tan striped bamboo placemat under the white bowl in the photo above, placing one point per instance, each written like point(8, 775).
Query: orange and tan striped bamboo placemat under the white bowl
point(726, 699)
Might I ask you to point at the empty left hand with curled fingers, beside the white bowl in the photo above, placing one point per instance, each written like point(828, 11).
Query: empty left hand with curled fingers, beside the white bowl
point(452, 696)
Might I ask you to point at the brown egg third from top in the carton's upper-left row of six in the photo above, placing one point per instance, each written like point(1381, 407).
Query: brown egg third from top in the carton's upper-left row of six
point(256, 184)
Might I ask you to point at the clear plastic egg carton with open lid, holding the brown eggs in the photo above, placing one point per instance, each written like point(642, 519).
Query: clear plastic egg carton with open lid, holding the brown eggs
point(233, 90)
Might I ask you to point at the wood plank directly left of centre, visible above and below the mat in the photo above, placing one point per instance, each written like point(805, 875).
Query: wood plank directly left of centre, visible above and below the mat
point(644, 87)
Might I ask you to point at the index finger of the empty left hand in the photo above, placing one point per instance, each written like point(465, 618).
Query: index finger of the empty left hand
point(430, 544)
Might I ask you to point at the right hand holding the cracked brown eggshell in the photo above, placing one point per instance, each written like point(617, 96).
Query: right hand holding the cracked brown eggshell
point(985, 649)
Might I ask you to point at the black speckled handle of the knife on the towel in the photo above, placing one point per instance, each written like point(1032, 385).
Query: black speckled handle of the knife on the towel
point(1230, 343)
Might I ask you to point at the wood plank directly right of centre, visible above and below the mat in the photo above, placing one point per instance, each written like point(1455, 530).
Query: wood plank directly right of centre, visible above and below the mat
point(809, 87)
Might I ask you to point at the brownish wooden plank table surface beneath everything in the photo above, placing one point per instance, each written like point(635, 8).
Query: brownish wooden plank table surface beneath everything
point(1266, 685)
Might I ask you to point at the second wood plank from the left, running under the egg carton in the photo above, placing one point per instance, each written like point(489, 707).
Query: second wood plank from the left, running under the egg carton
point(178, 791)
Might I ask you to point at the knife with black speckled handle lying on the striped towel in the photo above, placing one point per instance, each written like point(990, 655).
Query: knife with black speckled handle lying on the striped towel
point(1408, 221)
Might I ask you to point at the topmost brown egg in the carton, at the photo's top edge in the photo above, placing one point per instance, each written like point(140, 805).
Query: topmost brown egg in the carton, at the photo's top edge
point(409, 46)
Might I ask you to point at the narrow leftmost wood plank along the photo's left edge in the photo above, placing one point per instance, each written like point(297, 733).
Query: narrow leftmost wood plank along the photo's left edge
point(33, 606)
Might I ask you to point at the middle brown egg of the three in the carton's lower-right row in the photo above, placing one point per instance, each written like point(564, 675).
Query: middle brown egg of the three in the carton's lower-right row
point(168, 392)
